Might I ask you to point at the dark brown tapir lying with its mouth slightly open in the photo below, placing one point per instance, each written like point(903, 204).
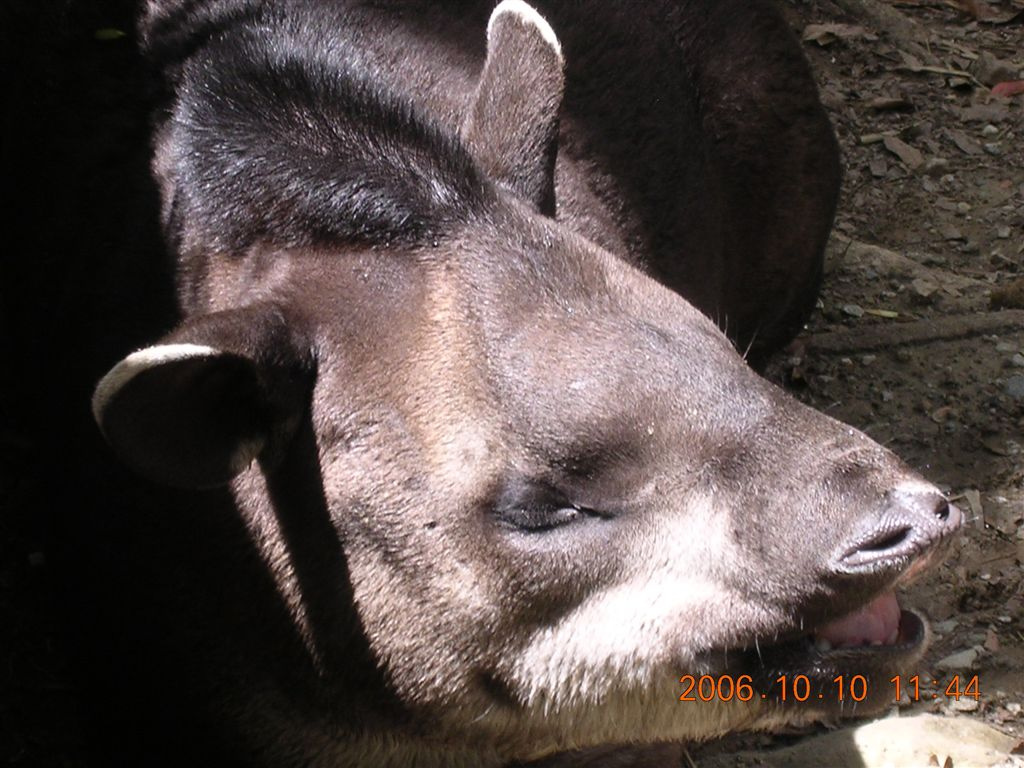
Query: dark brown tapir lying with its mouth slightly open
point(458, 456)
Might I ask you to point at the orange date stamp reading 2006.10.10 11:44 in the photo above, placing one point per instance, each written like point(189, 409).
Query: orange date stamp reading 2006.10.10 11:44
point(842, 689)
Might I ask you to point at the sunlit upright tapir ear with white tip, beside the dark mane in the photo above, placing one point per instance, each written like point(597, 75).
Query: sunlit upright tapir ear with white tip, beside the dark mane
point(513, 126)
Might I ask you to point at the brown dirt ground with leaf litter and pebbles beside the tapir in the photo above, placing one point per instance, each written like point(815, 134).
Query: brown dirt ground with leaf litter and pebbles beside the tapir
point(919, 337)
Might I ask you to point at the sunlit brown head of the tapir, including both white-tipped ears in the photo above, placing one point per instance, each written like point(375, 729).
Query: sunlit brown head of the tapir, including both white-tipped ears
point(557, 486)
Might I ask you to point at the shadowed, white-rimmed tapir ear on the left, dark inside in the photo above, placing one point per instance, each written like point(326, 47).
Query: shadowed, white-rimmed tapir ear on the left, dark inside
point(198, 408)
